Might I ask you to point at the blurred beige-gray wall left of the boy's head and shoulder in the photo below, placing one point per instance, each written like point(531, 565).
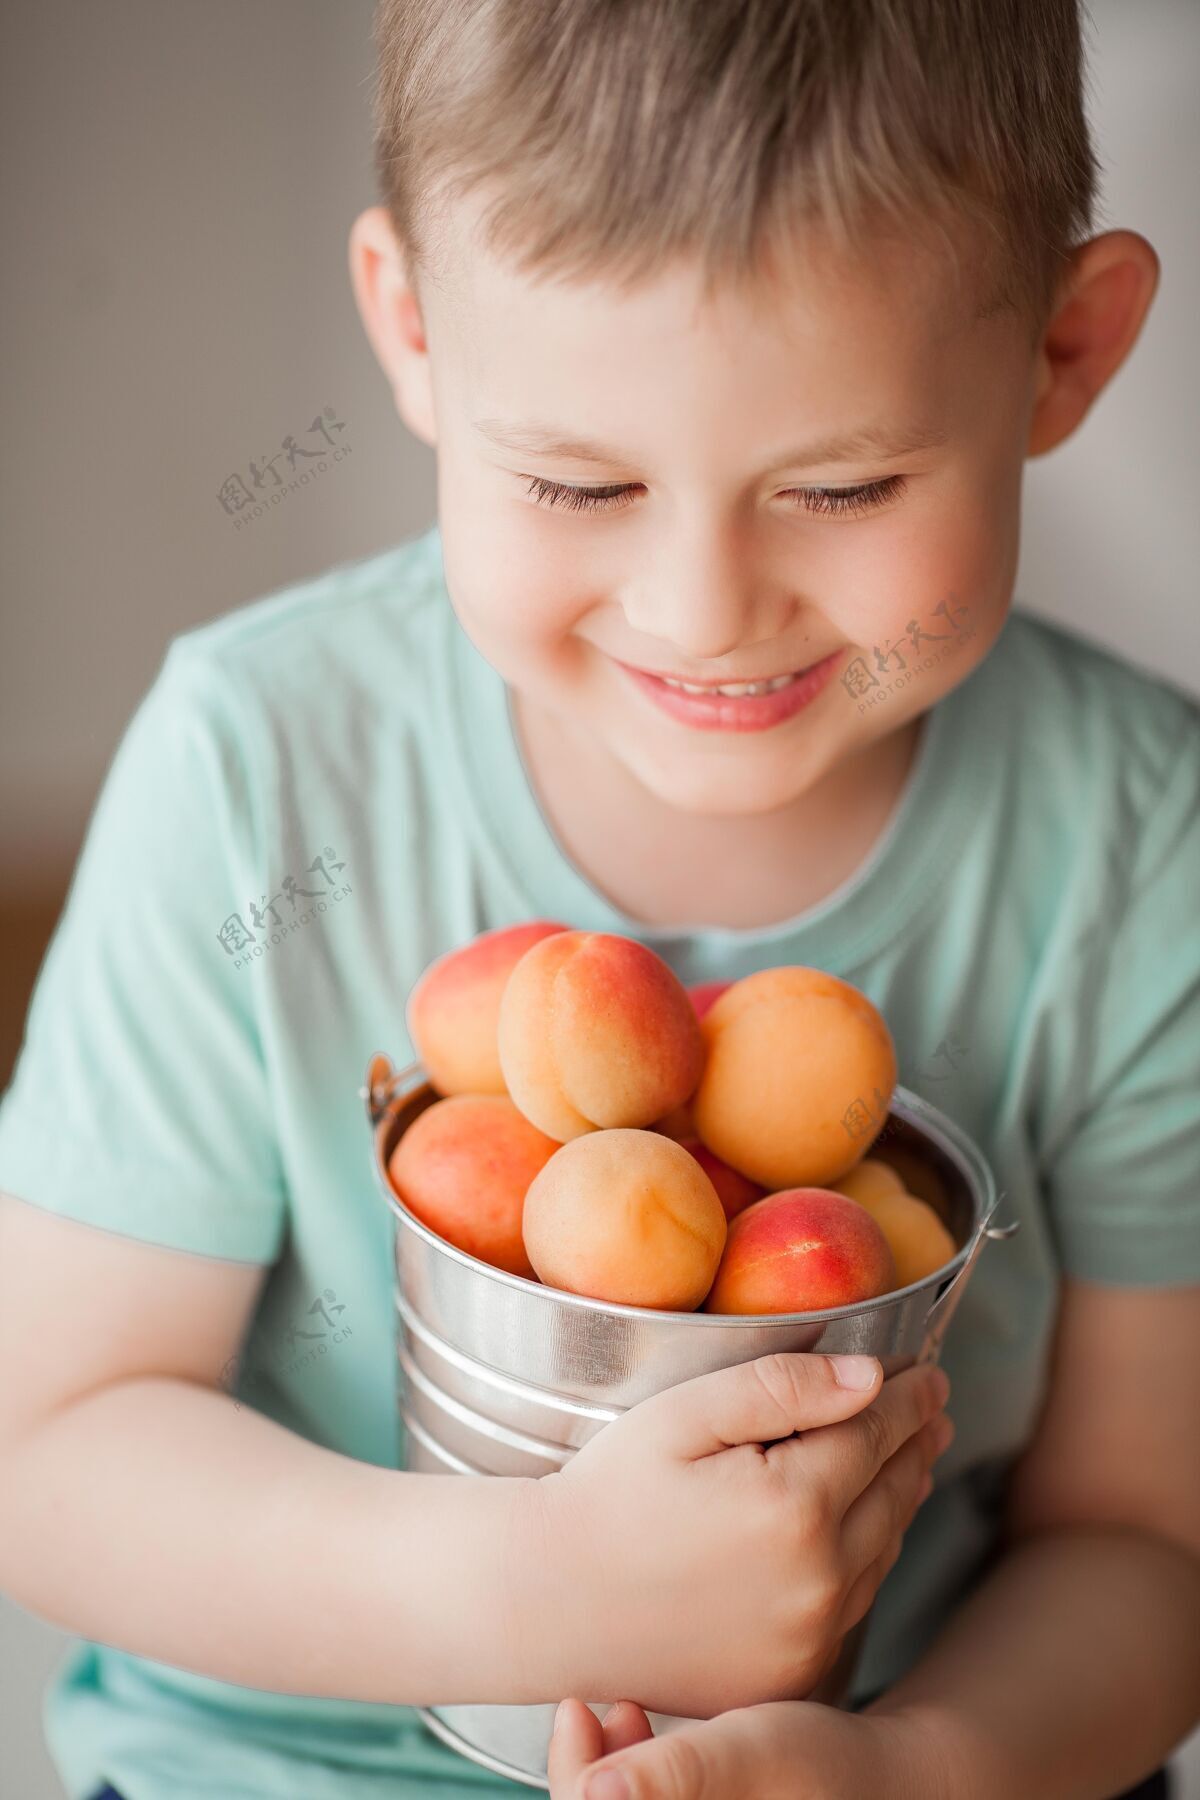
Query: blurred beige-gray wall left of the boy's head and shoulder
point(179, 184)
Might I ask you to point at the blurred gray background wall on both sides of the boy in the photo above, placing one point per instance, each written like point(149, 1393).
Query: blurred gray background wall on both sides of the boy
point(177, 190)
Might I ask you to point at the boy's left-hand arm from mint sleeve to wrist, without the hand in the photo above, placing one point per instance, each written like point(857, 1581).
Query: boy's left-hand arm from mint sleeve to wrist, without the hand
point(141, 1507)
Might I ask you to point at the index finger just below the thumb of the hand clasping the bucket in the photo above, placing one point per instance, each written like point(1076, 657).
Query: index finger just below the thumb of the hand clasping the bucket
point(843, 1461)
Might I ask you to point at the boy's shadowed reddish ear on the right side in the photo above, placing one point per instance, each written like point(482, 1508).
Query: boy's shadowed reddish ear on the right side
point(1098, 314)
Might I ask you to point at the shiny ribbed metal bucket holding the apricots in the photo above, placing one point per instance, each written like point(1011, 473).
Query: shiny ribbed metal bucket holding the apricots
point(505, 1376)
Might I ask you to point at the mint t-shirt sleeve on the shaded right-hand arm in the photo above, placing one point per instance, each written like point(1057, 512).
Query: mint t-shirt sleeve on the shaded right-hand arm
point(1125, 1183)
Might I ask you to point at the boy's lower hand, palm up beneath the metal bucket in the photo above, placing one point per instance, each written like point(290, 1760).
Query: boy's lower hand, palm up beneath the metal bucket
point(785, 1750)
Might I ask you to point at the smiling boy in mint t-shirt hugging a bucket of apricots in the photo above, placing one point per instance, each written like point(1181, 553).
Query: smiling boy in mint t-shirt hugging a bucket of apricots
point(731, 328)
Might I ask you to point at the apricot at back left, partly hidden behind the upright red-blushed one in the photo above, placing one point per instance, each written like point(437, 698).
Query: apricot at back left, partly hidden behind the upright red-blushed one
point(454, 1007)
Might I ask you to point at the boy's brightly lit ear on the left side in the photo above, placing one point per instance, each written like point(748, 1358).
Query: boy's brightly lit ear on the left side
point(391, 312)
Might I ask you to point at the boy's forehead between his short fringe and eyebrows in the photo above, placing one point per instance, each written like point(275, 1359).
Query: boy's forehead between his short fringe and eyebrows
point(814, 321)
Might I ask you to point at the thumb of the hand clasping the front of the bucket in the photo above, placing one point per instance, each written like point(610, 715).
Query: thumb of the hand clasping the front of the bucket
point(757, 1403)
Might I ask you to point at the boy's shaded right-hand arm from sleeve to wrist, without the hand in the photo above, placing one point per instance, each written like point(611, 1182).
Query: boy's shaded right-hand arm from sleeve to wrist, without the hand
point(1075, 1668)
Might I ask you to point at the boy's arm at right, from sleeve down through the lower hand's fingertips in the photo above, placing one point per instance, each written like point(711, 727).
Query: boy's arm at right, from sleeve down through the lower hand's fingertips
point(1070, 1673)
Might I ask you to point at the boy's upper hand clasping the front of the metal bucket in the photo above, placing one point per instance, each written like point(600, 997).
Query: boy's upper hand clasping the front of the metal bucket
point(688, 1558)
